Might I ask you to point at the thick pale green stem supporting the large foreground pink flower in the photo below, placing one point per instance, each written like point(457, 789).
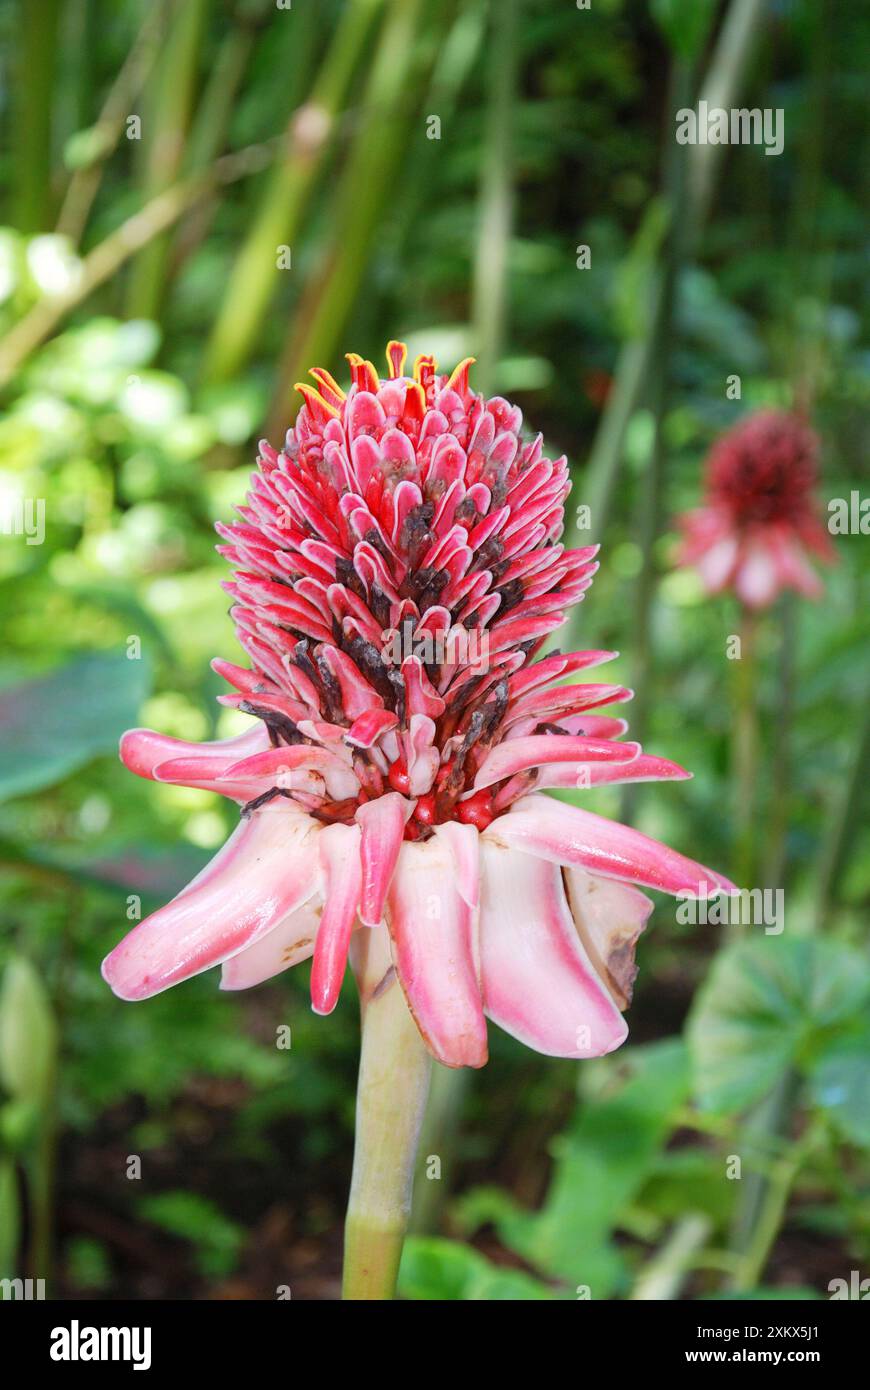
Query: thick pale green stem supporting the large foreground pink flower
point(391, 1102)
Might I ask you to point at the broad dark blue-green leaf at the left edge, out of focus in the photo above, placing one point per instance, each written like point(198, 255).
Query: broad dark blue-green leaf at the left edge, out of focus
point(58, 723)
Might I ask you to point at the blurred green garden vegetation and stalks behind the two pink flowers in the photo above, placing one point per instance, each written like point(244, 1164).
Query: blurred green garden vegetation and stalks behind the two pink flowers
point(201, 201)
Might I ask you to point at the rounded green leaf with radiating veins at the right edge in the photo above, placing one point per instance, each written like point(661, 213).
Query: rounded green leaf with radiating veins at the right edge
point(769, 1006)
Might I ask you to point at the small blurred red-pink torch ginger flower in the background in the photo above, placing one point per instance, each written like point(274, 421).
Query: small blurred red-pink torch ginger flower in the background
point(760, 522)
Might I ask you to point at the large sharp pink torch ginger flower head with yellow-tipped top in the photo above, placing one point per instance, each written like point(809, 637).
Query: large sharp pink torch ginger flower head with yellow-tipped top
point(391, 783)
